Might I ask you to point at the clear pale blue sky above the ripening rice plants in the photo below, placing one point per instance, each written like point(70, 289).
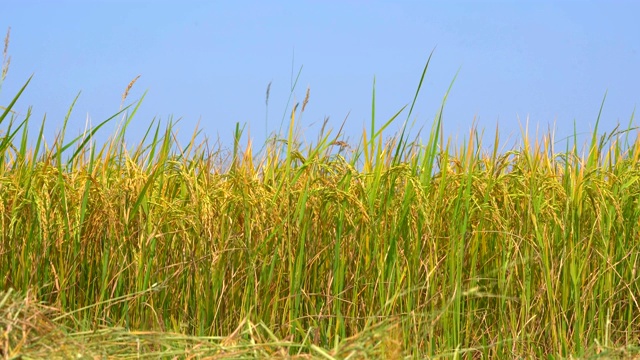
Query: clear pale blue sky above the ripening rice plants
point(211, 61)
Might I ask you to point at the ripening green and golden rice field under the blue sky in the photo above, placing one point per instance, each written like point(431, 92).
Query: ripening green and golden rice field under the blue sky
point(389, 247)
